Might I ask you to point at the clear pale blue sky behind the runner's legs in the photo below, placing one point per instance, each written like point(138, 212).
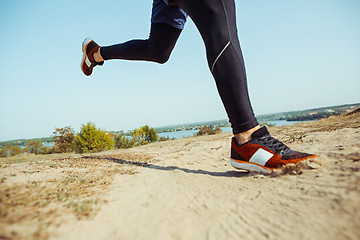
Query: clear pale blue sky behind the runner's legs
point(298, 55)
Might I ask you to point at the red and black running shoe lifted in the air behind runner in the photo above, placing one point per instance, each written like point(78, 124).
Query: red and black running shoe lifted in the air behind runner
point(88, 62)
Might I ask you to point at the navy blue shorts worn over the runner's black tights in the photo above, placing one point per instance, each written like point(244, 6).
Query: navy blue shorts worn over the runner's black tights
point(162, 13)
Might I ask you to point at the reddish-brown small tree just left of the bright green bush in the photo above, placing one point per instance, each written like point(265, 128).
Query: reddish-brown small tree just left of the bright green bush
point(64, 138)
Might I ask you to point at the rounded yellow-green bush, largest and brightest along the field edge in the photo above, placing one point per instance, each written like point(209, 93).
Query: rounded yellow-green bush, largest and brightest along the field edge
point(92, 139)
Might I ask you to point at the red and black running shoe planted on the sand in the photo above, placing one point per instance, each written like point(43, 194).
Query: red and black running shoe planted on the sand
point(264, 153)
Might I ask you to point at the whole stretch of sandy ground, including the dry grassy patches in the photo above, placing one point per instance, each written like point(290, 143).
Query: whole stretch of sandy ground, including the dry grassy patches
point(187, 189)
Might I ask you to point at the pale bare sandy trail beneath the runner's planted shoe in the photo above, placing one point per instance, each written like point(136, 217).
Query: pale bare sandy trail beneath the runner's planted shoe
point(191, 192)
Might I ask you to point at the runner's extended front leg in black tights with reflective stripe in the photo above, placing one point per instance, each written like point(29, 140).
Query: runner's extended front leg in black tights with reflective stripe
point(216, 22)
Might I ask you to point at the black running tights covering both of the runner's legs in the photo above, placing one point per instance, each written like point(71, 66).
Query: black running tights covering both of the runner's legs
point(216, 22)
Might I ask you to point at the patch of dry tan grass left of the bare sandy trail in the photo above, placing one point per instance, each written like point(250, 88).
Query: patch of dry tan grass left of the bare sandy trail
point(36, 191)
